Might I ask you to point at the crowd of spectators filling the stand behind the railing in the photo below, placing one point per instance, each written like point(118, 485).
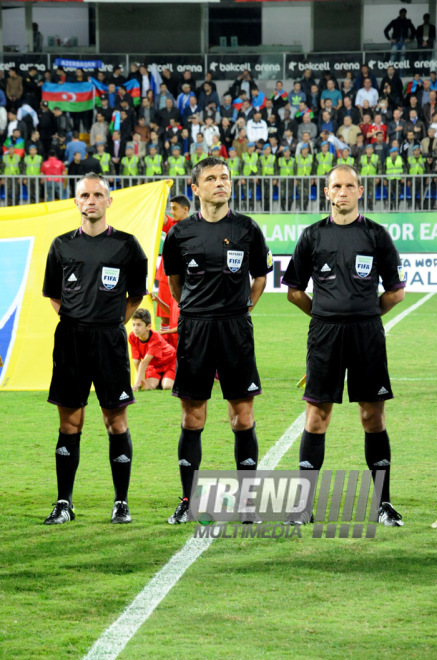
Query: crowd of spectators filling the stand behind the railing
point(277, 145)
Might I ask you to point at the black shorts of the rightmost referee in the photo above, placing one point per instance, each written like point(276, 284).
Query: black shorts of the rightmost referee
point(358, 347)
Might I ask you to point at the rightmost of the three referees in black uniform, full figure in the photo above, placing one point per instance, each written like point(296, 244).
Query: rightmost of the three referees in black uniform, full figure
point(346, 254)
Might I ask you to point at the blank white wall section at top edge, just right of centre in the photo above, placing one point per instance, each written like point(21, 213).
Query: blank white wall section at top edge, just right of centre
point(287, 25)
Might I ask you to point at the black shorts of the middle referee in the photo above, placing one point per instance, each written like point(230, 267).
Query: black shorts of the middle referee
point(223, 345)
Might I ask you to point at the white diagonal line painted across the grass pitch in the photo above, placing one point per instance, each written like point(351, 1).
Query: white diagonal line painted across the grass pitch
point(112, 642)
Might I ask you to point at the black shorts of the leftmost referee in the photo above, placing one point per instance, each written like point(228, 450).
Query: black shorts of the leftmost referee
point(85, 355)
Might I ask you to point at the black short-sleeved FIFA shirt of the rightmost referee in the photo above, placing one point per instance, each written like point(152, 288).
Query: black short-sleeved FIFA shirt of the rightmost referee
point(345, 262)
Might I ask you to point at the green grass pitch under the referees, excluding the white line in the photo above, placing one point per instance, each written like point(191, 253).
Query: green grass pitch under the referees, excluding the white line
point(306, 598)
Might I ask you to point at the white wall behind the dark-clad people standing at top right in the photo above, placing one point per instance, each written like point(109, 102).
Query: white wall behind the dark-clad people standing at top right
point(377, 15)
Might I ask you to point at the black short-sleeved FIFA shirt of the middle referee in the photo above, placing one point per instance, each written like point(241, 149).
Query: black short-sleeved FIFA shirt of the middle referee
point(214, 260)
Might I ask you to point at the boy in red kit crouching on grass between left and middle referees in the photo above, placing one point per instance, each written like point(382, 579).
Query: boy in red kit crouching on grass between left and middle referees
point(154, 358)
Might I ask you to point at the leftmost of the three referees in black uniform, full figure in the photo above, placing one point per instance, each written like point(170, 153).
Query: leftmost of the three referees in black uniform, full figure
point(96, 278)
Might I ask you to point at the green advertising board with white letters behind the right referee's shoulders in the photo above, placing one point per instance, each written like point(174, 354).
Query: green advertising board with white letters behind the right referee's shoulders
point(411, 232)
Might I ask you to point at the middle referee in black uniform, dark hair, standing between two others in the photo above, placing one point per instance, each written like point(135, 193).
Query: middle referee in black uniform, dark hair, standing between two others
point(209, 258)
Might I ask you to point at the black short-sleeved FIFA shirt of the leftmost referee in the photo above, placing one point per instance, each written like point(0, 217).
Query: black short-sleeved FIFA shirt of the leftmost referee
point(92, 275)
